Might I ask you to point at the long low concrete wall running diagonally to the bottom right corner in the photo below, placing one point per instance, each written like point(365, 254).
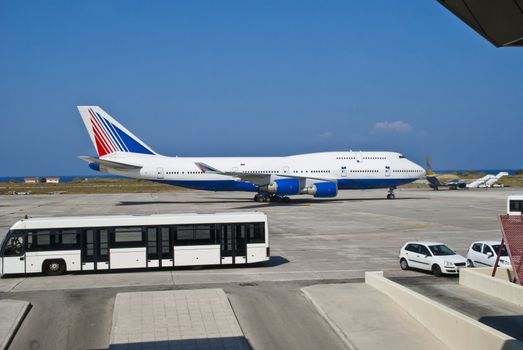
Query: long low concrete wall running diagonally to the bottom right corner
point(454, 329)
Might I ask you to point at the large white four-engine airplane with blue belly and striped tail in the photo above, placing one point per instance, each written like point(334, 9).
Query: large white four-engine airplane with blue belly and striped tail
point(121, 153)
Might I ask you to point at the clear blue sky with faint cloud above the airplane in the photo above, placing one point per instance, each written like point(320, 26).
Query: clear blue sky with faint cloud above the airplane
point(228, 78)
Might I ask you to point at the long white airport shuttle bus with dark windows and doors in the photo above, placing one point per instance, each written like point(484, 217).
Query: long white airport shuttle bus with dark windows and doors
point(55, 245)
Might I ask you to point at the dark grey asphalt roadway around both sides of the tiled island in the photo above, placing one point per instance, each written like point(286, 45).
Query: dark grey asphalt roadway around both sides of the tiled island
point(271, 315)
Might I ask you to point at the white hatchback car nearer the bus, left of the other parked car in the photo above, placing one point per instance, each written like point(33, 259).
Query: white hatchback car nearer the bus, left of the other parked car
point(431, 256)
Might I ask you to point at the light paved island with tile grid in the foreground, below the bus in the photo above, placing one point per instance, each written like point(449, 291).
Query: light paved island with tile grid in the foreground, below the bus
point(183, 319)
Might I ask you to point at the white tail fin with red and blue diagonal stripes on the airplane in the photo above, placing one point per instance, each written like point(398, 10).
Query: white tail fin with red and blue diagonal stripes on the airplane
point(109, 136)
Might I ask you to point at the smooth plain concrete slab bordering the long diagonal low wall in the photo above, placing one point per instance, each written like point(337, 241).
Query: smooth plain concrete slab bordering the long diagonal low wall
point(366, 319)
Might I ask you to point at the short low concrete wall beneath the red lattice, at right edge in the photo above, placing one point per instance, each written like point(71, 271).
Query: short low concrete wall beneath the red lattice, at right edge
point(496, 287)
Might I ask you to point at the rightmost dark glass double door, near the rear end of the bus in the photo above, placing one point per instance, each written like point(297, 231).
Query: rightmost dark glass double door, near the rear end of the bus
point(233, 244)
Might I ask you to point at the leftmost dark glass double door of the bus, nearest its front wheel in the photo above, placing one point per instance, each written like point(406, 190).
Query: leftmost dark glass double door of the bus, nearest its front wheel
point(95, 250)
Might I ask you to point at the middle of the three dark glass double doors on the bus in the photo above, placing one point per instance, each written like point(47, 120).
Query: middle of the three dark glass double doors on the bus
point(159, 247)
